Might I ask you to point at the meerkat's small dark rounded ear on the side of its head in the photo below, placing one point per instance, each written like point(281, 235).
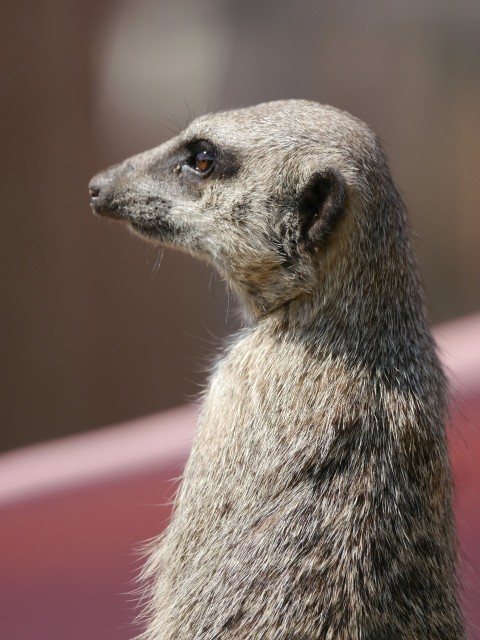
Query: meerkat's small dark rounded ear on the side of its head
point(321, 203)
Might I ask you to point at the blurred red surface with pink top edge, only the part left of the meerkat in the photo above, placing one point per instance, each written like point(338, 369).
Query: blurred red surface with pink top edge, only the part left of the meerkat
point(73, 515)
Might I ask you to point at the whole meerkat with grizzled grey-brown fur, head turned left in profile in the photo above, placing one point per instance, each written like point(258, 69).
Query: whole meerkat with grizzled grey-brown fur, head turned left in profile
point(316, 503)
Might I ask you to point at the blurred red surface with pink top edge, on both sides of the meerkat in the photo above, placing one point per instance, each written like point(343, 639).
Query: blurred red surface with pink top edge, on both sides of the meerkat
point(73, 512)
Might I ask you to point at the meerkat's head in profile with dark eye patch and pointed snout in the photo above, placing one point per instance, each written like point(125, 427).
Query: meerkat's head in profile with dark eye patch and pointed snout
point(264, 193)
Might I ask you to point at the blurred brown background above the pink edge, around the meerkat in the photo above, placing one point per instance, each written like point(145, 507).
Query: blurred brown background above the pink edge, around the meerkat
point(94, 330)
